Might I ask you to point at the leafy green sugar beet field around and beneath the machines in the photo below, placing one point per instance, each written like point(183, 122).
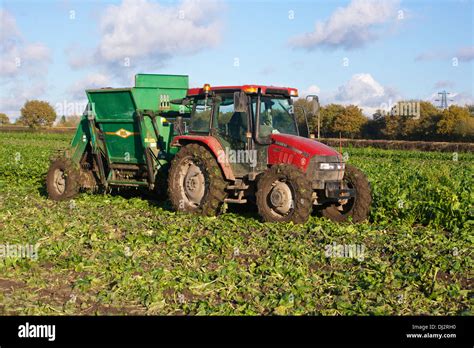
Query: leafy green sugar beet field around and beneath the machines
point(127, 253)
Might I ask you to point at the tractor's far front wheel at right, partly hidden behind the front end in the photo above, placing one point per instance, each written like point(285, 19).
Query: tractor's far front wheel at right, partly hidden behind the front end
point(356, 208)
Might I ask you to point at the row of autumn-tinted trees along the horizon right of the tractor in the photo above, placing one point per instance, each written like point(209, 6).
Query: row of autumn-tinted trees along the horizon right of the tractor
point(456, 123)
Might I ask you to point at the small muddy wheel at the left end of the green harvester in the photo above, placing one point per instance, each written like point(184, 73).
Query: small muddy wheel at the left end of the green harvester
point(62, 180)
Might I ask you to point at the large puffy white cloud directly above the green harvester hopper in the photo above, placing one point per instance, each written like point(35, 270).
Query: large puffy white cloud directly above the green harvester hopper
point(148, 34)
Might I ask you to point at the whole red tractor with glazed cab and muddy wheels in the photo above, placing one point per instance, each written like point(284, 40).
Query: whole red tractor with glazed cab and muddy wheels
point(244, 143)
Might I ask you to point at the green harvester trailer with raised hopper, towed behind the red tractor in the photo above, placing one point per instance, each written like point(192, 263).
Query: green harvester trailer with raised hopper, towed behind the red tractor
point(123, 138)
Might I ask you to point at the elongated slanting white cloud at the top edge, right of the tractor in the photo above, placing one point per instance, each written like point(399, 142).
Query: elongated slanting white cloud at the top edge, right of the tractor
point(349, 27)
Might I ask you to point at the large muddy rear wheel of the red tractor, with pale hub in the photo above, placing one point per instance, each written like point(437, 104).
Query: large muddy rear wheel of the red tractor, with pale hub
point(195, 181)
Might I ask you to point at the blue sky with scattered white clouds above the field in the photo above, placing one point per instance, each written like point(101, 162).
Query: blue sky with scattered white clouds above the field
point(363, 52)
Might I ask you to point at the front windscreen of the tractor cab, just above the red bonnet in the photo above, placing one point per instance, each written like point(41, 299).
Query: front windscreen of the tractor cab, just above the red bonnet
point(276, 116)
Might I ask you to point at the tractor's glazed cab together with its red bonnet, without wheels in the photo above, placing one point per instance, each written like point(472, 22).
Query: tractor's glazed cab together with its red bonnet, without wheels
point(251, 123)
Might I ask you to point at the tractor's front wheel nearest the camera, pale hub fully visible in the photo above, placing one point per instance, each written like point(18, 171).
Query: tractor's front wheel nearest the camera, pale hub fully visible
point(284, 194)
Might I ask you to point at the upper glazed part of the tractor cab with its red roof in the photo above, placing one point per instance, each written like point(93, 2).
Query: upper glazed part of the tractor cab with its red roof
point(238, 110)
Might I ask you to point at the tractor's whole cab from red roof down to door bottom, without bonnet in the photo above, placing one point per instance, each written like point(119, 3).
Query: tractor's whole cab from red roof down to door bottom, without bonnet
point(242, 120)
